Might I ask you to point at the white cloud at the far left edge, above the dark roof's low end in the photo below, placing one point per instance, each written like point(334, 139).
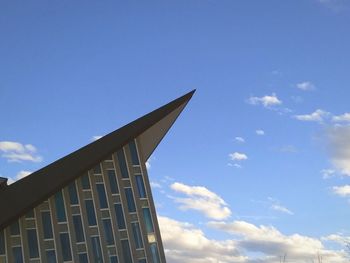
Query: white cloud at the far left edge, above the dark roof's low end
point(17, 152)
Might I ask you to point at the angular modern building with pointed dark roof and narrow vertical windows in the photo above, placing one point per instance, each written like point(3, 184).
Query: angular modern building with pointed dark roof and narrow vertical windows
point(94, 205)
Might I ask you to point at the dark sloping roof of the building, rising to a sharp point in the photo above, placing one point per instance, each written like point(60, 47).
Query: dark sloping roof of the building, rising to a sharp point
point(25, 194)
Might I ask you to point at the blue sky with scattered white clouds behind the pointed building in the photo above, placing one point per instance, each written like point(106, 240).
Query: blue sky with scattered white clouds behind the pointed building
point(256, 166)
